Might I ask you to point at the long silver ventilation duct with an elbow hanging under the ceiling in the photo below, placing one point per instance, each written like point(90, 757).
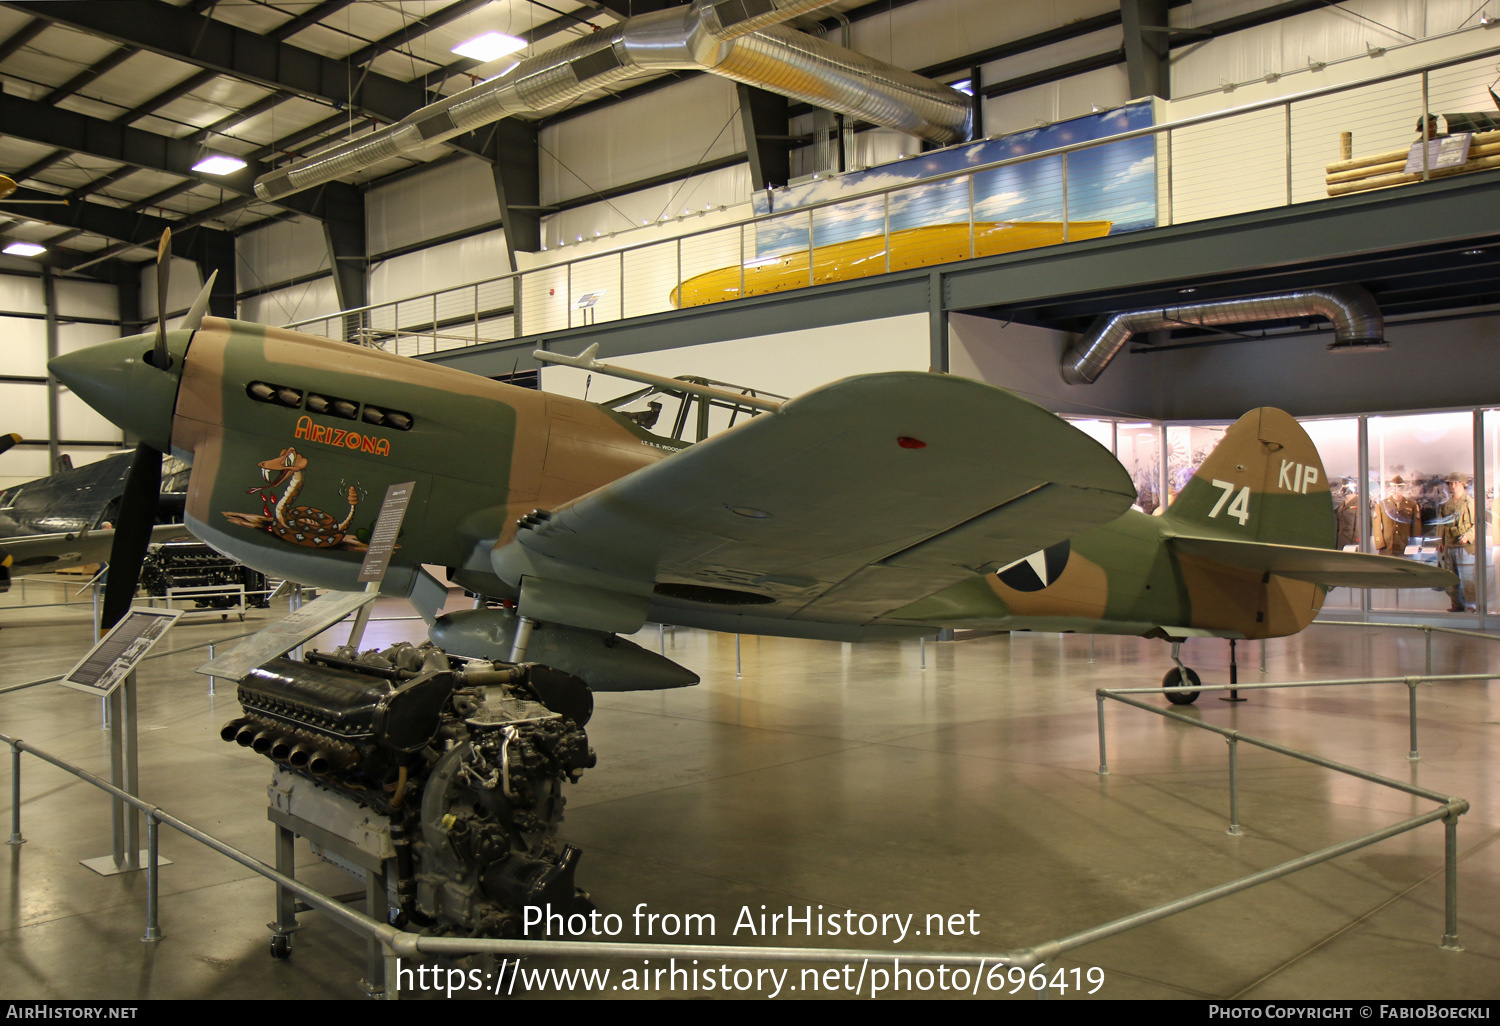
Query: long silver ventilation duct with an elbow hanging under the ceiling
point(739, 40)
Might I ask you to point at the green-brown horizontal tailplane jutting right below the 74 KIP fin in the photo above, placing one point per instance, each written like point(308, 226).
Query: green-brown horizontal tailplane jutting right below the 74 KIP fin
point(1328, 568)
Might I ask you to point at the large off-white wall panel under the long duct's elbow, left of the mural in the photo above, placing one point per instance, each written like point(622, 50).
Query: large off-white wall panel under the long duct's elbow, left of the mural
point(674, 128)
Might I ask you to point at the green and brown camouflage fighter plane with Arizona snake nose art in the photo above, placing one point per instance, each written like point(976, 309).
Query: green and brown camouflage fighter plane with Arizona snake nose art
point(880, 506)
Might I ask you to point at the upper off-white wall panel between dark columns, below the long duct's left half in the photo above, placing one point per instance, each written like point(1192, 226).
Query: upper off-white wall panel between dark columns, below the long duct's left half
point(431, 205)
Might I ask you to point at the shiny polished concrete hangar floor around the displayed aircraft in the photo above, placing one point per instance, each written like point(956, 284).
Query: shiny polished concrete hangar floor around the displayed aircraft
point(848, 778)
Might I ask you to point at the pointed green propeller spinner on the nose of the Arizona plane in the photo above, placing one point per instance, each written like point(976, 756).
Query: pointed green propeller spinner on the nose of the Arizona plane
point(116, 380)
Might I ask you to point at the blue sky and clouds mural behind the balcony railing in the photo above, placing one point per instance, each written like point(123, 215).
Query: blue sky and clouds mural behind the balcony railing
point(1115, 182)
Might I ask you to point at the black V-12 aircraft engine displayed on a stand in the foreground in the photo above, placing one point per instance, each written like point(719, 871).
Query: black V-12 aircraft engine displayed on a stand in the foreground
point(451, 770)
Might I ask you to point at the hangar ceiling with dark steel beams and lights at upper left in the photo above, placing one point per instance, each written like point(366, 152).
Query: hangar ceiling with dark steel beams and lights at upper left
point(109, 106)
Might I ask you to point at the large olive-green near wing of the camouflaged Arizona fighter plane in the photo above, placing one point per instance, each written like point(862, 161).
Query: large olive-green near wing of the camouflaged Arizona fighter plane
point(847, 503)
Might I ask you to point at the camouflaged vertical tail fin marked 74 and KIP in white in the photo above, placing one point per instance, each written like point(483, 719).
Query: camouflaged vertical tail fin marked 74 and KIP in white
point(1265, 482)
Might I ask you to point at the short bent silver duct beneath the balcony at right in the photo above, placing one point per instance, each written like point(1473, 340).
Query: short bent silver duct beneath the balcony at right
point(1357, 322)
